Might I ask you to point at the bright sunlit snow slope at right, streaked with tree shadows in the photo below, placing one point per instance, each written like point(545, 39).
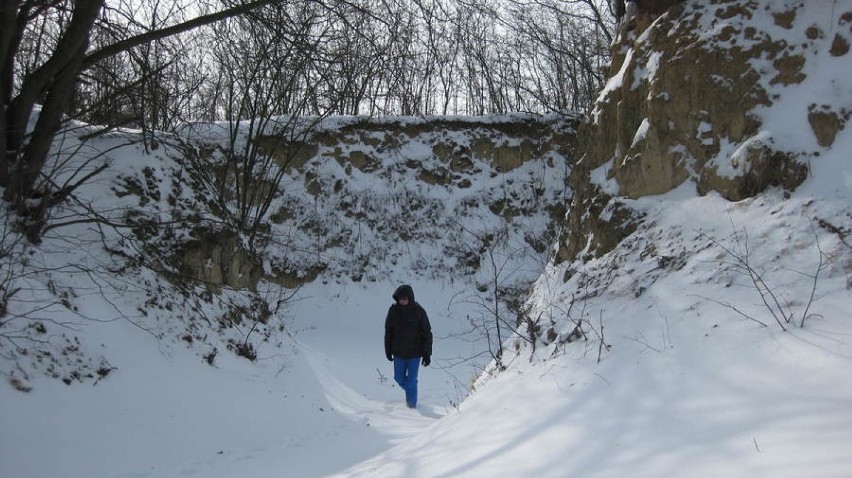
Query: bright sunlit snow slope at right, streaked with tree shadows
point(686, 387)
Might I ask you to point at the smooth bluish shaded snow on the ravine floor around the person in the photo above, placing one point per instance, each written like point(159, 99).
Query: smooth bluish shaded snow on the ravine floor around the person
point(319, 404)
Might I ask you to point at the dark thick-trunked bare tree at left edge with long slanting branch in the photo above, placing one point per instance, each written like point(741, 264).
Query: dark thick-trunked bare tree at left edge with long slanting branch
point(52, 84)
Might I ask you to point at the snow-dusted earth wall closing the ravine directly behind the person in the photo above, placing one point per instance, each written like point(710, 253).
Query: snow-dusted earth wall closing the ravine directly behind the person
point(361, 194)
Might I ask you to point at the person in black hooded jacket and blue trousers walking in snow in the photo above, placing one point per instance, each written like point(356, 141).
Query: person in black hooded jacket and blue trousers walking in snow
point(408, 341)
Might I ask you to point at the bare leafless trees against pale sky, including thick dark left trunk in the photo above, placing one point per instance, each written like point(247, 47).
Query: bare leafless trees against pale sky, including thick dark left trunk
point(154, 64)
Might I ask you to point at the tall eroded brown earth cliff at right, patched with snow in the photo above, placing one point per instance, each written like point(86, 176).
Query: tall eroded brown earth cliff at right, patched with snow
point(691, 96)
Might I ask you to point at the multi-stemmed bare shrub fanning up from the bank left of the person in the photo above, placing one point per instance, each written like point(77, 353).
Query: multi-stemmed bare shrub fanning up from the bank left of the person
point(271, 70)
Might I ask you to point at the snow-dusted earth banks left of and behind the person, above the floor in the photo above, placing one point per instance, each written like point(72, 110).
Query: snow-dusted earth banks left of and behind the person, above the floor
point(168, 259)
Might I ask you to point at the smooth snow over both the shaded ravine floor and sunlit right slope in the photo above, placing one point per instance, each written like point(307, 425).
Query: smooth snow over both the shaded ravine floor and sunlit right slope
point(686, 387)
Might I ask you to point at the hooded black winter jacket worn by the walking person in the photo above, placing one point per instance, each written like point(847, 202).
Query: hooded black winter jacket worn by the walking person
point(408, 333)
